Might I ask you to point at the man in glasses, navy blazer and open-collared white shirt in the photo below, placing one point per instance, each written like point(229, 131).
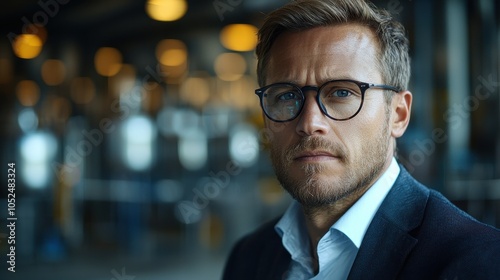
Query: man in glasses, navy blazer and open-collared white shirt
point(333, 77)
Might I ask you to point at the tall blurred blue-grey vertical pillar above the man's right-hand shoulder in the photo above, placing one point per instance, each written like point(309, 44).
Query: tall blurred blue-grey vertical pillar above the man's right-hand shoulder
point(458, 112)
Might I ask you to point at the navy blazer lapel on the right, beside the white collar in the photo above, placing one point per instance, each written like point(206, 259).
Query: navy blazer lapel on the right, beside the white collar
point(388, 240)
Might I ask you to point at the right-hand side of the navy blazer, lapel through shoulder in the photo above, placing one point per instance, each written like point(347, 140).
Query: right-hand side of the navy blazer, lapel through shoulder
point(432, 237)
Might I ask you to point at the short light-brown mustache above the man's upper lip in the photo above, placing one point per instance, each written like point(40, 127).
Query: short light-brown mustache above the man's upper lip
point(316, 144)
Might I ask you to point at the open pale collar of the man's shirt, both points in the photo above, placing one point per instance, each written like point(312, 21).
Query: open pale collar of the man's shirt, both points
point(354, 223)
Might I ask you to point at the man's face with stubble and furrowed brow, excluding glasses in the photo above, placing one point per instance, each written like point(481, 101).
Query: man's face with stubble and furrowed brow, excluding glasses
point(316, 159)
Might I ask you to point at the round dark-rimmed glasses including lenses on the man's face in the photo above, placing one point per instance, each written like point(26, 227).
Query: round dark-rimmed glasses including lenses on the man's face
point(338, 99)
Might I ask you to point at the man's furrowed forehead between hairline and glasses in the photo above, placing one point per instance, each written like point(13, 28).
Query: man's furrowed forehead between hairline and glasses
point(322, 53)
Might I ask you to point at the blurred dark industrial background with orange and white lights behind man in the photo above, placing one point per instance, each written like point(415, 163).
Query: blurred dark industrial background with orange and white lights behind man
point(138, 142)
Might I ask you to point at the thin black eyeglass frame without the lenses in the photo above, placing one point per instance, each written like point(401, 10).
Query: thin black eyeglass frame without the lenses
point(362, 86)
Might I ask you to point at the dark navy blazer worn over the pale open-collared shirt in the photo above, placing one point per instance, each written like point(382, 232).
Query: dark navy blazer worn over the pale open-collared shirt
point(416, 234)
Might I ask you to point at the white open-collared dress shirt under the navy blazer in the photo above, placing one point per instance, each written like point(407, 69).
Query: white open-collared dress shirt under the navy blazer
point(337, 249)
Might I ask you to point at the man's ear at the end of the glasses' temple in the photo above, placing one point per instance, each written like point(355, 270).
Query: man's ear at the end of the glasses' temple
point(401, 111)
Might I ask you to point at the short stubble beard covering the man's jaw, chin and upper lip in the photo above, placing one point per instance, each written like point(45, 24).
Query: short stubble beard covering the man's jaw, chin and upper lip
point(311, 191)
